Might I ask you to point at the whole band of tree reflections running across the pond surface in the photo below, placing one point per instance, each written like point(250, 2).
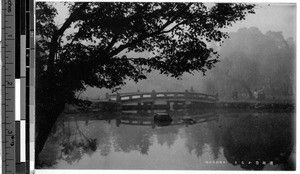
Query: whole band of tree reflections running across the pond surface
point(243, 138)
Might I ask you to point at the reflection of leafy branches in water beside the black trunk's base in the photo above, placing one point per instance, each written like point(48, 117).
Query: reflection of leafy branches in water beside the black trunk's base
point(67, 142)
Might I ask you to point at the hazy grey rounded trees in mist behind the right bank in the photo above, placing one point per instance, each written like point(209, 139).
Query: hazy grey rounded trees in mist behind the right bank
point(253, 60)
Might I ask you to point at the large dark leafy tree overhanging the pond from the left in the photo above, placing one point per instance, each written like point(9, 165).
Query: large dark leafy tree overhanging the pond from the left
point(94, 54)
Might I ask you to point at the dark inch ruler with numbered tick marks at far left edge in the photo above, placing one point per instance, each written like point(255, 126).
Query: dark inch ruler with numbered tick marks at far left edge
point(8, 86)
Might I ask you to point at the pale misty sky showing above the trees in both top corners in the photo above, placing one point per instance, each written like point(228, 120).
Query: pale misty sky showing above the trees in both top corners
point(267, 17)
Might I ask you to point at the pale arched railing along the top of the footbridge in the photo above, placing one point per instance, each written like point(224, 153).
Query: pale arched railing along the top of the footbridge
point(123, 97)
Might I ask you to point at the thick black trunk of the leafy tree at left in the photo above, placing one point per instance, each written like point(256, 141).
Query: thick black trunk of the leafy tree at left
point(50, 98)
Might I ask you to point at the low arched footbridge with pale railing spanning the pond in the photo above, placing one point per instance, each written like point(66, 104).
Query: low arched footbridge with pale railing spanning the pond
point(162, 100)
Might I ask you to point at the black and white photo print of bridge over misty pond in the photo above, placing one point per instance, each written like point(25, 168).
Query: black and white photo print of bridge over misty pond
point(165, 86)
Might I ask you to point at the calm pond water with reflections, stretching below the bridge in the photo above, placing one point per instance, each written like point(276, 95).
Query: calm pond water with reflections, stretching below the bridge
point(218, 141)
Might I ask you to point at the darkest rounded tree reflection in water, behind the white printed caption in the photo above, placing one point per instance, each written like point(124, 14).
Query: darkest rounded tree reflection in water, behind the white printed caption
point(263, 139)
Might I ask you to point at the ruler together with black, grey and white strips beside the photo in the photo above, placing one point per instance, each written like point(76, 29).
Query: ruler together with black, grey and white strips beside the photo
point(17, 86)
